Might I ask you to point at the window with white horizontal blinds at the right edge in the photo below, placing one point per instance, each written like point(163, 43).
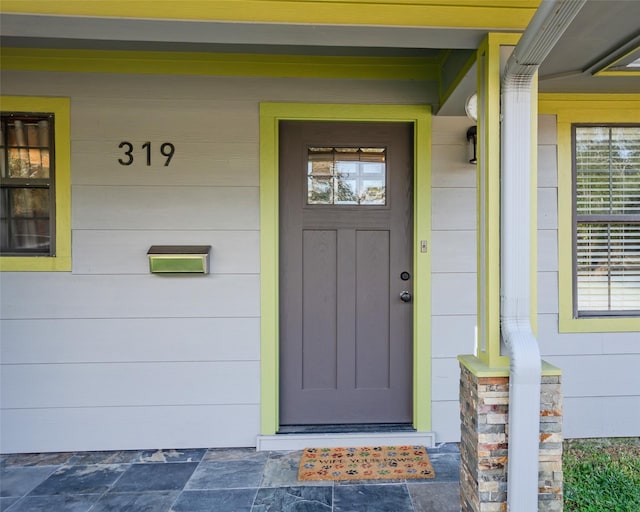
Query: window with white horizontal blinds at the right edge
point(606, 220)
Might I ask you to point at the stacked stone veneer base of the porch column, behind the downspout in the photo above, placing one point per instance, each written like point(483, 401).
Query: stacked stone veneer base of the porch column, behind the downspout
point(484, 412)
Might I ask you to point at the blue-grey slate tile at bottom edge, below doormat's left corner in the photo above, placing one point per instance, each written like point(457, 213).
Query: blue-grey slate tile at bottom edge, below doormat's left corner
point(298, 499)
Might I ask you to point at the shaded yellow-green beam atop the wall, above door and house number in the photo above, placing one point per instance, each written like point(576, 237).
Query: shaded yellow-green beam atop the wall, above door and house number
point(219, 64)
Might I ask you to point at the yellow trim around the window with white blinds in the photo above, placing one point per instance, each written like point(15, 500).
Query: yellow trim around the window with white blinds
point(582, 108)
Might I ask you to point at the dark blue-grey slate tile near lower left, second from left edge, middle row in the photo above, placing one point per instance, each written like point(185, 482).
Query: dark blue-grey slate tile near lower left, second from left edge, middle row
point(80, 479)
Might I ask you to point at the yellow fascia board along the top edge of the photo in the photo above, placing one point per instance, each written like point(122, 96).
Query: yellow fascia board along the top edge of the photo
point(497, 14)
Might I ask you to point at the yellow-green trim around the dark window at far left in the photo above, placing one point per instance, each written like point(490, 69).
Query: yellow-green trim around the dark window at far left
point(60, 107)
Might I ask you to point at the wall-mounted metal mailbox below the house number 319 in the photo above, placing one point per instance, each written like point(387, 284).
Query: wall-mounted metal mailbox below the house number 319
point(170, 259)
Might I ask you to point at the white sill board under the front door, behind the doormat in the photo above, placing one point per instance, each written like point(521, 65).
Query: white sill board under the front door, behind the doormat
point(302, 441)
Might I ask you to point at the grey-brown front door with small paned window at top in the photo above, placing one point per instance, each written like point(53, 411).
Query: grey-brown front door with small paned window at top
point(346, 231)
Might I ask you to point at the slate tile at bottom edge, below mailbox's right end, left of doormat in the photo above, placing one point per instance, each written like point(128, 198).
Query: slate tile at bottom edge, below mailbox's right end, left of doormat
point(220, 500)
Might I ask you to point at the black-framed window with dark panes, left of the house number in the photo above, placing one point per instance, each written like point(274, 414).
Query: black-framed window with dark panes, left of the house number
point(27, 178)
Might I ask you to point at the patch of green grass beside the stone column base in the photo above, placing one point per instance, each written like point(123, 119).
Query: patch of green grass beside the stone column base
point(602, 475)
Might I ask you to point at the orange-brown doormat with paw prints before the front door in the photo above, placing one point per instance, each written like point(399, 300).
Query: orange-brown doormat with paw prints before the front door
point(365, 463)
